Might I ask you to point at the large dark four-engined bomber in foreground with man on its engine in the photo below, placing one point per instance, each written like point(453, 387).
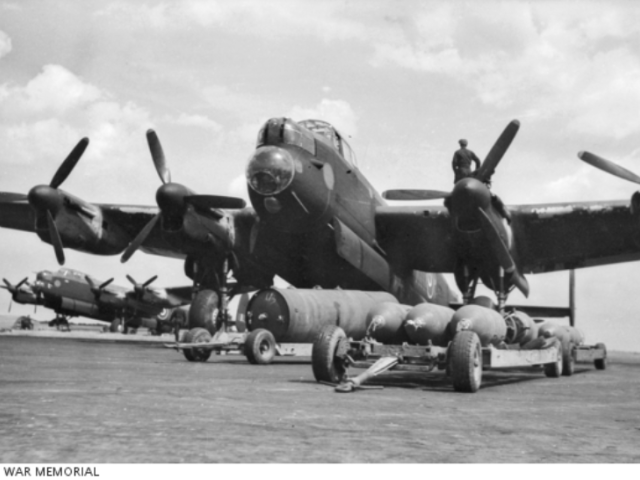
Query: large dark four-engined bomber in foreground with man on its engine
point(316, 221)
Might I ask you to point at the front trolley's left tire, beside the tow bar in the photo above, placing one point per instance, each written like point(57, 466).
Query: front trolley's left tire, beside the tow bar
point(326, 366)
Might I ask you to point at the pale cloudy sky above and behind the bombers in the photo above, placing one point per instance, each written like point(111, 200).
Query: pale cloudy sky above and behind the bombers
point(402, 80)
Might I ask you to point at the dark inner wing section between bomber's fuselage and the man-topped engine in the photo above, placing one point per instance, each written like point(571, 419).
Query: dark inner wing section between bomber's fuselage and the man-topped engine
point(417, 238)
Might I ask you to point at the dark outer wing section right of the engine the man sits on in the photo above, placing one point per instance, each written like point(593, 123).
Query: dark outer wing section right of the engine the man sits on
point(562, 236)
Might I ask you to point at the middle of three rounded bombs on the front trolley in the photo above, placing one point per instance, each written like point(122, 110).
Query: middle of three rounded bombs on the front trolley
point(428, 323)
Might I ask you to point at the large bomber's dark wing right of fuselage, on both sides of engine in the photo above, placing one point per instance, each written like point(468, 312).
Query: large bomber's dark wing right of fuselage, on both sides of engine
point(547, 237)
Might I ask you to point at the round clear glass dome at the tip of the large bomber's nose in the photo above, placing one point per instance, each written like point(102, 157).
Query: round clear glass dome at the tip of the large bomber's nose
point(270, 170)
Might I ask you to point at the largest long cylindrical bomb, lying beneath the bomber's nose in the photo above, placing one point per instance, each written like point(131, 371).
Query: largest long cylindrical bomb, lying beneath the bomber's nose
point(298, 315)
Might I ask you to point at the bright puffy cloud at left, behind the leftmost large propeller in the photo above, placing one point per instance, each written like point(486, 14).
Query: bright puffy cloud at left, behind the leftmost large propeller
point(48, 115)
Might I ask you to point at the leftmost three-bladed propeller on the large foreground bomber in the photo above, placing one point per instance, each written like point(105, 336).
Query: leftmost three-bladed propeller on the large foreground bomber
point(46, 199)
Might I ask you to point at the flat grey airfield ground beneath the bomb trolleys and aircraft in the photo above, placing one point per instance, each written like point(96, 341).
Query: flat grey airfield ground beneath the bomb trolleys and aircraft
point(85, 399)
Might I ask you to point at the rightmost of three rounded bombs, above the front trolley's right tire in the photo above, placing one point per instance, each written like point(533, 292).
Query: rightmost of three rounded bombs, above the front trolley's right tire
point(486, 323)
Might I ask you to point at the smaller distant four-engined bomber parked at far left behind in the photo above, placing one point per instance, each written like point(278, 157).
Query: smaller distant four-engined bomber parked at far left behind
point(70, 293)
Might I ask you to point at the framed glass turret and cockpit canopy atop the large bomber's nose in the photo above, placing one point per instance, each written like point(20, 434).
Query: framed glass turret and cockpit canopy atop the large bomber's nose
point(304, 134)
